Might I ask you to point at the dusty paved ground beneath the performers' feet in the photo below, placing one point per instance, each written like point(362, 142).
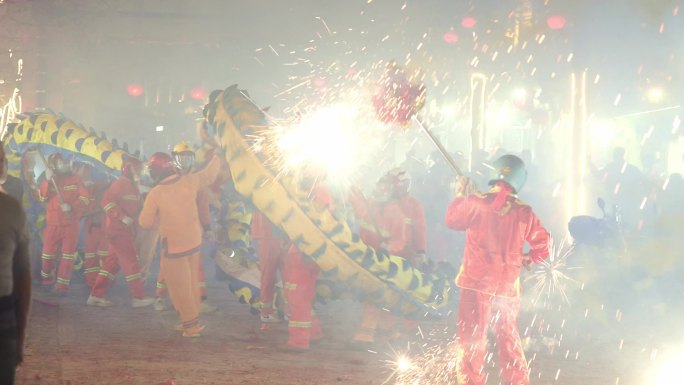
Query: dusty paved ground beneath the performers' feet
point(70, 344)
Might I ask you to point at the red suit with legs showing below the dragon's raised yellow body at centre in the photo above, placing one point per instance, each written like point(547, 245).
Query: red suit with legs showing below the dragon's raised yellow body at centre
point(300, 274)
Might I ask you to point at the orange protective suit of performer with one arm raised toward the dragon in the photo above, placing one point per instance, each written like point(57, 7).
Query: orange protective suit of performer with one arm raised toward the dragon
point(181, 236)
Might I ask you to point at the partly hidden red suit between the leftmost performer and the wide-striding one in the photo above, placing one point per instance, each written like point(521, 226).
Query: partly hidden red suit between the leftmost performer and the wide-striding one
point(96, 245)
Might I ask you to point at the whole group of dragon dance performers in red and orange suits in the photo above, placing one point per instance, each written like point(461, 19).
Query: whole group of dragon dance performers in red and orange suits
point(176, 205)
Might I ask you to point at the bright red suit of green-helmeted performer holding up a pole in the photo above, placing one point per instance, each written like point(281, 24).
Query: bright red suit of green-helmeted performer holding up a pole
point(490, 281)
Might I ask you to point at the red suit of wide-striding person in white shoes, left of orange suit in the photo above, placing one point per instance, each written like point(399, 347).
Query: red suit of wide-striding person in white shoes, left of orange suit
point(121, 200)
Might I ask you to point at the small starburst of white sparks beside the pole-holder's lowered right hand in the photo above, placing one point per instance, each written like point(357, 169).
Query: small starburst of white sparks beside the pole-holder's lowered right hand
point(551, 276)
